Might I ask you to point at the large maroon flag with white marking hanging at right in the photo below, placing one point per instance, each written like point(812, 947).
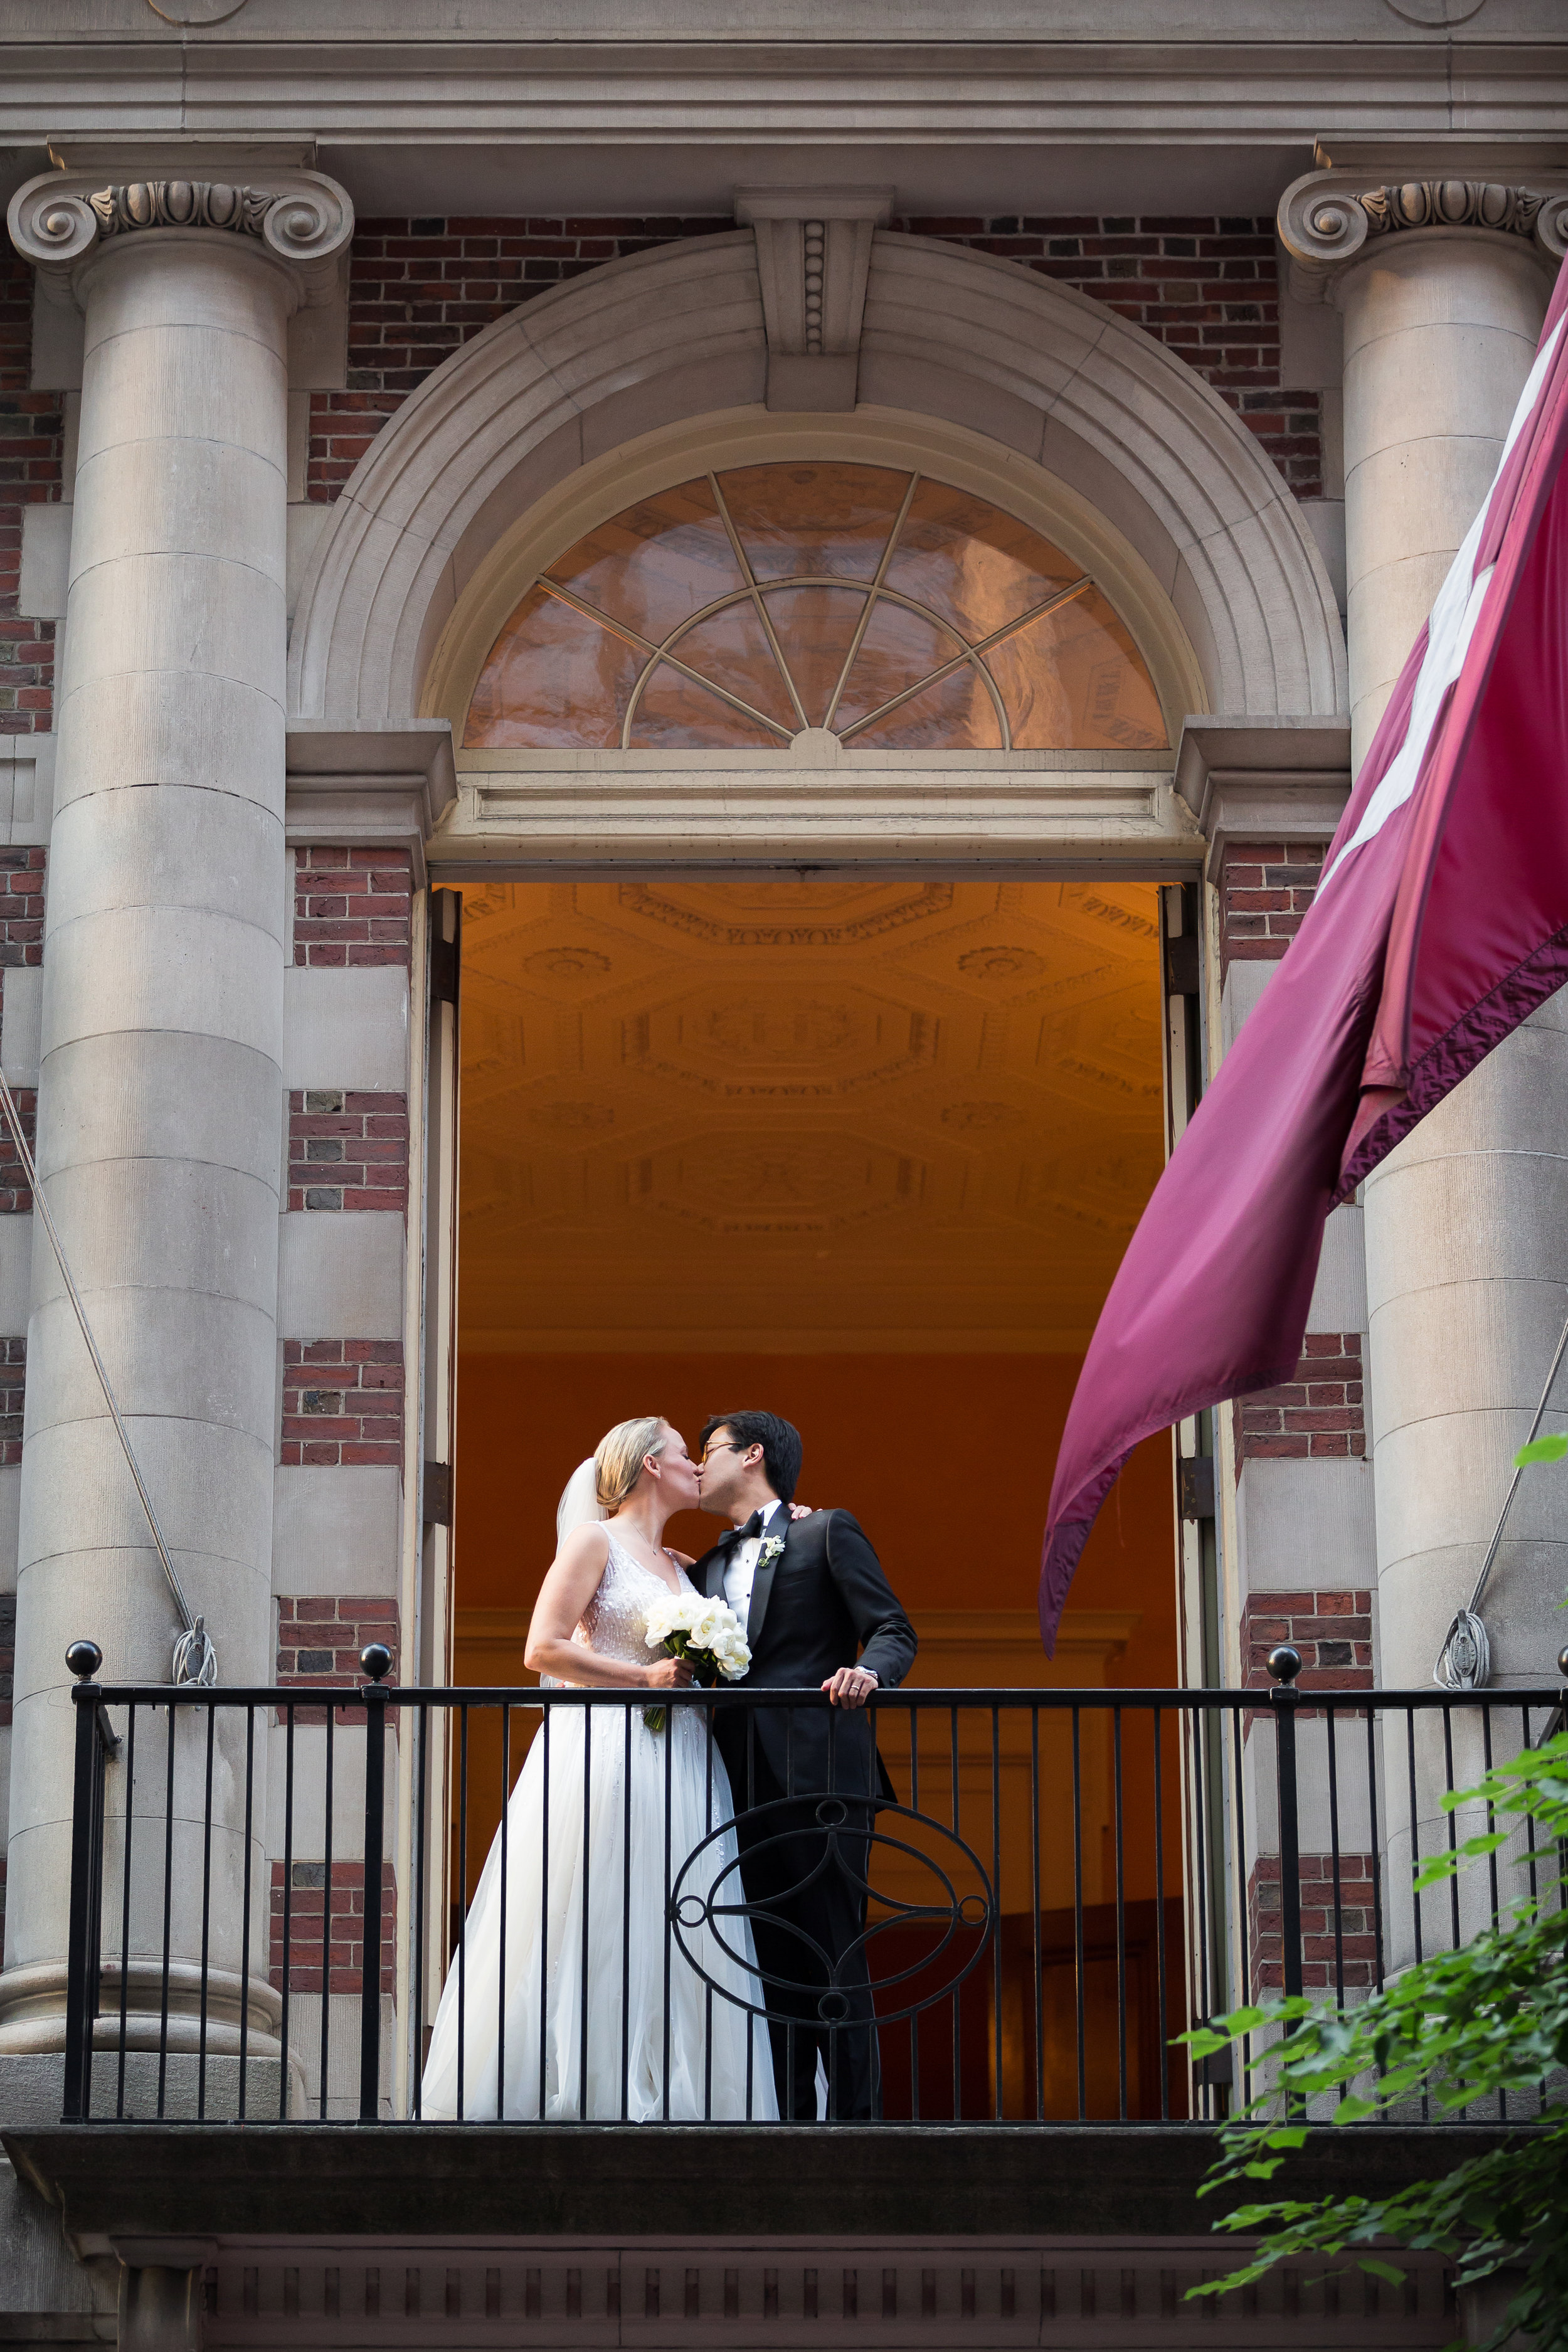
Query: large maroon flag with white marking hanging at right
point(1440, 923)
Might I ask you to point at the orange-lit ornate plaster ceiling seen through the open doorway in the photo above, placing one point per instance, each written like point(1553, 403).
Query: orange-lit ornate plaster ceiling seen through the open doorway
point(812, 1114)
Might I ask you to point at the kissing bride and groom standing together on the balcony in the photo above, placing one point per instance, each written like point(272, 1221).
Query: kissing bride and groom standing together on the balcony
point(589, 1991)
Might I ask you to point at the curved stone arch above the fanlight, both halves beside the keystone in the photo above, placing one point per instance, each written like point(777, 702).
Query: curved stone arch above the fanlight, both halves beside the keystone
point(659, 340)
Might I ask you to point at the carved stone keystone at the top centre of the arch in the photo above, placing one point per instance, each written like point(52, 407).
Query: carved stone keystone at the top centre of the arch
point(815, 250)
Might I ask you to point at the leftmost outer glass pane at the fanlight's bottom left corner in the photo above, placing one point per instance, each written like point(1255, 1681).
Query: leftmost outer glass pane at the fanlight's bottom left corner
point(554, 679)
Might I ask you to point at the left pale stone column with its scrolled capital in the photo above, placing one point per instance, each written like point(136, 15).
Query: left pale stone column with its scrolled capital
point(161, 1085)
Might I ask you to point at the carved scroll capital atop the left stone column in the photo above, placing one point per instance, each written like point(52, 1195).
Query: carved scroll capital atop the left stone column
point(297, 220)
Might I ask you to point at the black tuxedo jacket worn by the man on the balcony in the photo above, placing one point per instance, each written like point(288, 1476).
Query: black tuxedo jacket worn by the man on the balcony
point(817, 1605)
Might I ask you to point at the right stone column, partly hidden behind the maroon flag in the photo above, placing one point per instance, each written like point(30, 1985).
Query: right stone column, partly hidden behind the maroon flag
point(1442, 288)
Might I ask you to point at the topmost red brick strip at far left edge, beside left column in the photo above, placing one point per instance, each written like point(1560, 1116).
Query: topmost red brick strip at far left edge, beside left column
point(32, 469)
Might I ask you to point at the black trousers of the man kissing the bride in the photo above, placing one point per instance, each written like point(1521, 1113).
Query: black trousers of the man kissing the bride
point(803, 1866)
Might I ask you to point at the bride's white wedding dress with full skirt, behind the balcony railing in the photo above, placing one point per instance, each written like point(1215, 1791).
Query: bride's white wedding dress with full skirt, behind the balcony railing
point(523, 2040)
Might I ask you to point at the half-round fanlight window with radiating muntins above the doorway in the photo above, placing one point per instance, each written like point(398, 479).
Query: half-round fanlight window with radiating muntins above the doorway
point(887, 608)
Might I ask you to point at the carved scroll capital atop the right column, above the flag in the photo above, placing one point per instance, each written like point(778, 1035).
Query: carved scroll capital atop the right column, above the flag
point(1334, 220)
